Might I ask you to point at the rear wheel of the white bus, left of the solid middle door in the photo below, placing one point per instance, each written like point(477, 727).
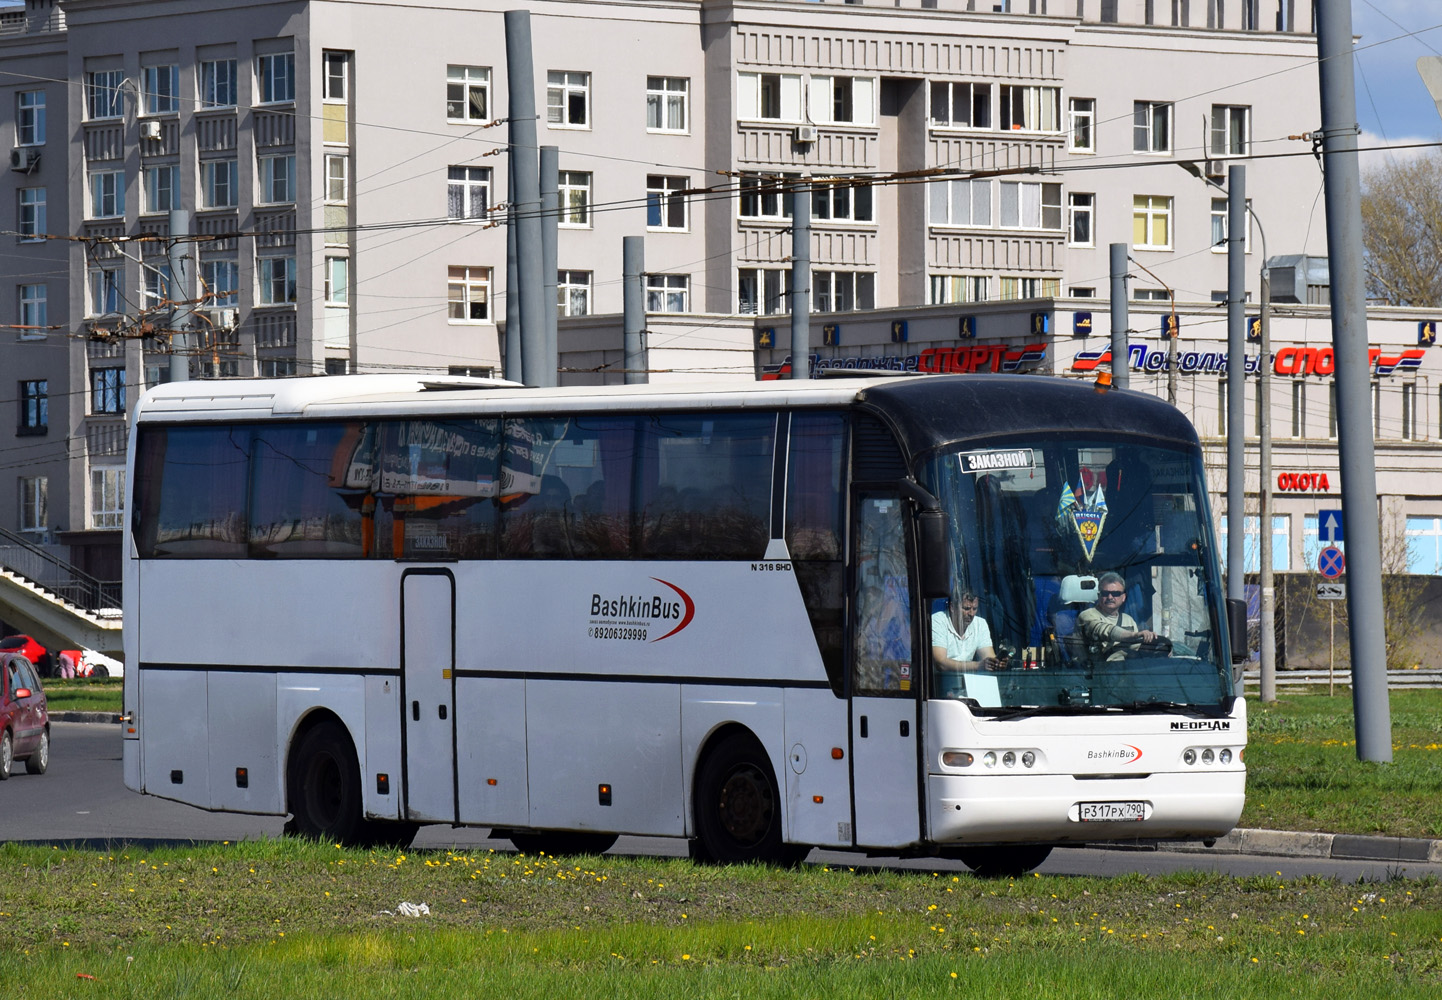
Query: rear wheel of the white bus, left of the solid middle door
point(324, 789)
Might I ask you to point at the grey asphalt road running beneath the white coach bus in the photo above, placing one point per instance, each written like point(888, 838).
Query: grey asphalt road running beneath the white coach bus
point(84, 800)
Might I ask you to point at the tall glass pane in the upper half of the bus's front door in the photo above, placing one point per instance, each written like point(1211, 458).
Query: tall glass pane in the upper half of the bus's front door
point(882, 653)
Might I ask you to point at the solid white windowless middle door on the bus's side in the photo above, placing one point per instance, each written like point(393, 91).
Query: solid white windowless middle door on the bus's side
point(429, 693)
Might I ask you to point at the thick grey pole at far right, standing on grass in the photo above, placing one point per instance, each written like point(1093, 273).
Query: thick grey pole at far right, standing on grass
point(1355, 435)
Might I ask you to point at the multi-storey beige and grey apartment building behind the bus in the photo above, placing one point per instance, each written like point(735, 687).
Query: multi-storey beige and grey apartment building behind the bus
point(341, 168)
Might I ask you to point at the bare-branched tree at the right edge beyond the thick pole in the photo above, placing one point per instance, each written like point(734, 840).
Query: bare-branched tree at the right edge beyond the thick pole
point(1402, 232)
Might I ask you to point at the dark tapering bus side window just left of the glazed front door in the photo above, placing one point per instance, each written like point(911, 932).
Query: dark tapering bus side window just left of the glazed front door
point(815, 497)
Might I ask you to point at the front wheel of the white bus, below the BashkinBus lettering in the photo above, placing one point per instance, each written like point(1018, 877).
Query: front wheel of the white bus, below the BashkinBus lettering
point(739, 809)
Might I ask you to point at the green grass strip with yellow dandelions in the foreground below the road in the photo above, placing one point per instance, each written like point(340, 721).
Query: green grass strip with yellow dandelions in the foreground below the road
point(304, 920)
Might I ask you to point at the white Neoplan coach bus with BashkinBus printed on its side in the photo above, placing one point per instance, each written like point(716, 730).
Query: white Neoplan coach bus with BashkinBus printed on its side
point(379, 602)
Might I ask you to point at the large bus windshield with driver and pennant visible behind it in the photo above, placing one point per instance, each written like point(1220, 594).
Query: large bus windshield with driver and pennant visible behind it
point(1084, 579)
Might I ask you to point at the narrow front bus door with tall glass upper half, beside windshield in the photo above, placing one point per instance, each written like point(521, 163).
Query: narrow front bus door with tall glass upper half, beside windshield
point(885, 766)
